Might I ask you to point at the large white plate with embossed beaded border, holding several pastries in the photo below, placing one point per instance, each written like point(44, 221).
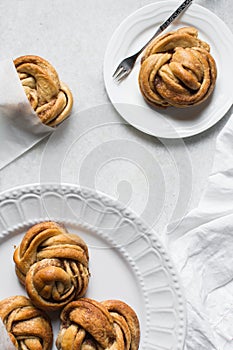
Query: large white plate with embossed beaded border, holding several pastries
point(127, 261)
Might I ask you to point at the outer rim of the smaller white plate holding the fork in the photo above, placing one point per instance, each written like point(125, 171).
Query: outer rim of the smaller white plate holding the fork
point(177, 134)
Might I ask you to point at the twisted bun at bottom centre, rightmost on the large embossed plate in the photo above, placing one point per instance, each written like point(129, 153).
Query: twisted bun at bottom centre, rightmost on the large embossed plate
point(92, 325)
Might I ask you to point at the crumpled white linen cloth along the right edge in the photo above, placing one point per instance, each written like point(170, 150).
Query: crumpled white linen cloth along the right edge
point(202, 248)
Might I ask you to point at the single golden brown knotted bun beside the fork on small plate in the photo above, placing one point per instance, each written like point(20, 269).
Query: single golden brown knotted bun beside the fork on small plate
point(177, 69)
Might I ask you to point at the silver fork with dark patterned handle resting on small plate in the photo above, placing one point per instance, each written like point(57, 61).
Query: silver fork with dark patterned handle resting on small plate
point(126, 66)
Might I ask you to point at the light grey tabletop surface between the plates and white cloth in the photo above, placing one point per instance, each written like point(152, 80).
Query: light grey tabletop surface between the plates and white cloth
point(73, 36)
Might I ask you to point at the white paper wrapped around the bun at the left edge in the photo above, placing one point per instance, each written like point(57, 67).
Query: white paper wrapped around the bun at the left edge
point(20, 127)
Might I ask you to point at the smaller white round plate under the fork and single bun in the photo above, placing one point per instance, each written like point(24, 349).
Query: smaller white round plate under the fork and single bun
point(132, 34)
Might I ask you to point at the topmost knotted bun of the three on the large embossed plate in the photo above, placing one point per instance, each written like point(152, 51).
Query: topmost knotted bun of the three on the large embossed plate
point(53, 265)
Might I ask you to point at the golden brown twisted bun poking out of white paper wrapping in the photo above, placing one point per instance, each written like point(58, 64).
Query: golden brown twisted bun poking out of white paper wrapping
point(49, 97)
